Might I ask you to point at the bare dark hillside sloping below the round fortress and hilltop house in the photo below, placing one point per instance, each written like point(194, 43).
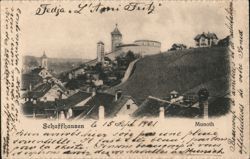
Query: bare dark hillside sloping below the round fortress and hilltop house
point(184, 71)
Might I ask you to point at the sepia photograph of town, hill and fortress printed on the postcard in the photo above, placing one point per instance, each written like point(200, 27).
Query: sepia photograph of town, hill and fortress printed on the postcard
point(166, 64)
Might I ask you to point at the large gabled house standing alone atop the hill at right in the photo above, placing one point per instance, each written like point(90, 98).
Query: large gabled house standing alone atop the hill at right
point(206, 39)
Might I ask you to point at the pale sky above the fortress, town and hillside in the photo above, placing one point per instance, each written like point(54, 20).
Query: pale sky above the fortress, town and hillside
point(75, 36)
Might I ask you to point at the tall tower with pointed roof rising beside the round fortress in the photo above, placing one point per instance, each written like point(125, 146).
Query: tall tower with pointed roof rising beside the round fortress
point(116, 38)
